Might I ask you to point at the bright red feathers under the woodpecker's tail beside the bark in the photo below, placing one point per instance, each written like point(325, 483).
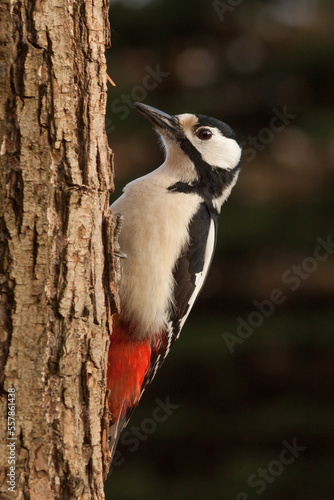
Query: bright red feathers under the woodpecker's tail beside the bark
point(128, 362)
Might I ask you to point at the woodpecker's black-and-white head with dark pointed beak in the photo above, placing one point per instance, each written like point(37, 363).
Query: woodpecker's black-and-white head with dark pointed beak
point(205, 148)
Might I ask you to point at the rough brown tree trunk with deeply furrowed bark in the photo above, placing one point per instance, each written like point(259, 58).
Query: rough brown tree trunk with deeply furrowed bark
point(56, 271)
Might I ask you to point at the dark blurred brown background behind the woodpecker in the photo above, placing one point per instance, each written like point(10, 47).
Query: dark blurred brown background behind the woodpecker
point(252, 373)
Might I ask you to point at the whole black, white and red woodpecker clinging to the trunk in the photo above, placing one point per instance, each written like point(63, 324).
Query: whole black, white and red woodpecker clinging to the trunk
point(169, 236)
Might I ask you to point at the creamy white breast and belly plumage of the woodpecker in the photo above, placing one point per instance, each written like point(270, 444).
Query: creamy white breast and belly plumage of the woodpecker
point(153, 235)
